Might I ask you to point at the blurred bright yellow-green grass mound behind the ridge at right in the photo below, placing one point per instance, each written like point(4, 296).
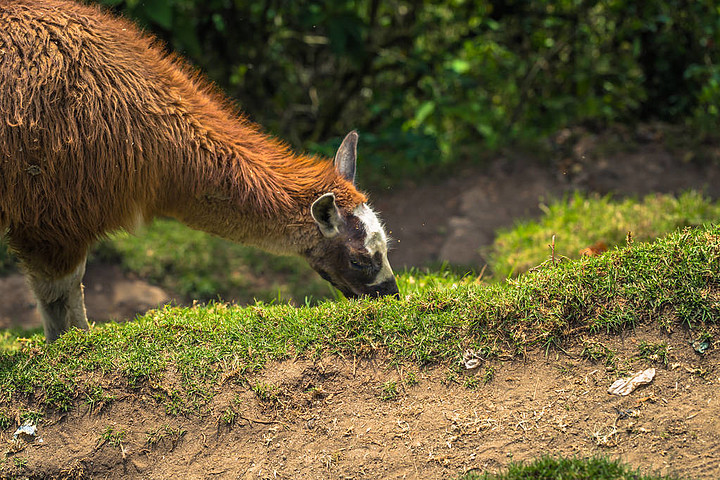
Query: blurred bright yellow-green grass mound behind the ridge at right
point(579, 221)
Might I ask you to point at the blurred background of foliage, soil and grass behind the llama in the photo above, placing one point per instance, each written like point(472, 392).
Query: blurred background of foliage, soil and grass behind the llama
point(487, 128)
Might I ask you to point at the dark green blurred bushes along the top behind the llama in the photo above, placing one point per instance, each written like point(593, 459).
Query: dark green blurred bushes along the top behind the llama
point(429, 83)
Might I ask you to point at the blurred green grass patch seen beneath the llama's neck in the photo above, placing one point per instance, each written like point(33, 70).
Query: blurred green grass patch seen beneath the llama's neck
point(203, 267)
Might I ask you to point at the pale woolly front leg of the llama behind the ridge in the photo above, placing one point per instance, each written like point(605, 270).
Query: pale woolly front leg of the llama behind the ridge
point(60, 302)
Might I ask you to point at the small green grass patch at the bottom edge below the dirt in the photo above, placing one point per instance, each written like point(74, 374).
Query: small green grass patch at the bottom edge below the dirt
point(553, 468)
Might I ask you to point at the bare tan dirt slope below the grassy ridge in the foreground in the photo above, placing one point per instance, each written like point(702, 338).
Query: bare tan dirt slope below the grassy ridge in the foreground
point(328, 419)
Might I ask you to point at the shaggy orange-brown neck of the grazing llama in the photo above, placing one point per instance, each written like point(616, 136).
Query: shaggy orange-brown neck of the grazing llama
point(222, 175)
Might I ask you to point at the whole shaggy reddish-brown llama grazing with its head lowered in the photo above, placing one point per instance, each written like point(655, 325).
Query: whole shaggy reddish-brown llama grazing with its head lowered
point(101, 130)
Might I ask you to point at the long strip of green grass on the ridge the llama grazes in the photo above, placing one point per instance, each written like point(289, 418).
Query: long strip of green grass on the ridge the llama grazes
point(672, 280)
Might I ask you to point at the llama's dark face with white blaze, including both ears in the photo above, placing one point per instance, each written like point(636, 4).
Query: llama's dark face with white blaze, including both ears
point(352, 251)
